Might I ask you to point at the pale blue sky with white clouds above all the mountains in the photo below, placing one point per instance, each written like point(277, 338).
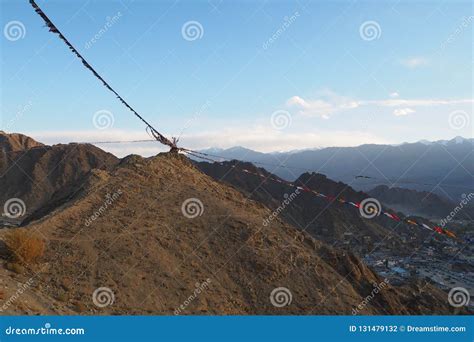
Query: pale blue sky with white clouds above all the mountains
point(266, 75)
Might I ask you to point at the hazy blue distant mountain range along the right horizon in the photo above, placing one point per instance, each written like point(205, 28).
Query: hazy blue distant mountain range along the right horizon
point(445, 167)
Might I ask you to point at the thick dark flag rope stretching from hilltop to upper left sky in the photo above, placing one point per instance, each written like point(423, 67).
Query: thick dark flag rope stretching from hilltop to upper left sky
point(52, 28)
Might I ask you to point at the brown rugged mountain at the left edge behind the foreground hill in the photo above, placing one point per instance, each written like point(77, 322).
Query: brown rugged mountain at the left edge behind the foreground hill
point(44, 177)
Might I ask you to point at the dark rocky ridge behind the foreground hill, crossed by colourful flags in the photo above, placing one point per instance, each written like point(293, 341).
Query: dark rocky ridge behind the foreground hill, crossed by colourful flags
point(336, 224)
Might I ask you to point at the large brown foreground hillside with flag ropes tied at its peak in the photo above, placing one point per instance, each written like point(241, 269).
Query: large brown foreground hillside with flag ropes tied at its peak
point(126, 230)
